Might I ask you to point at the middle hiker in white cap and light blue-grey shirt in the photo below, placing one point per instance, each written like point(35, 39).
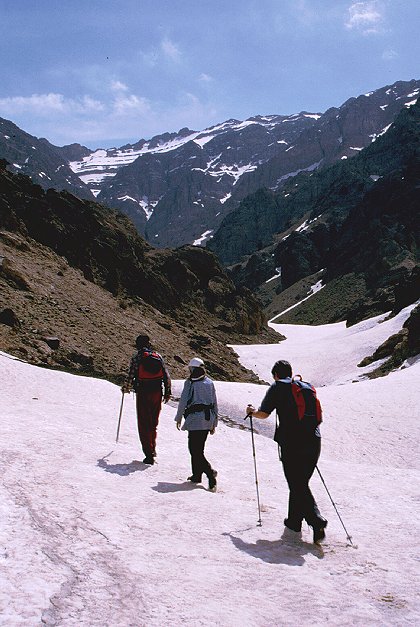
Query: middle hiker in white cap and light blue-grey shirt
point(198, 405)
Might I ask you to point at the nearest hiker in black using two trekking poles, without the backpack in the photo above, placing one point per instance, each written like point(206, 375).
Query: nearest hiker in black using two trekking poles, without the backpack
point(300, 447)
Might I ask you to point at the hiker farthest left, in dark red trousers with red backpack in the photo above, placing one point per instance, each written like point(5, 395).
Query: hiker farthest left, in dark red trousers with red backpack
point(147, 374)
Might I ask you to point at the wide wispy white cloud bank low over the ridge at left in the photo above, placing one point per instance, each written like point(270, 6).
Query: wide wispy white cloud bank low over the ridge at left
point(121, 117)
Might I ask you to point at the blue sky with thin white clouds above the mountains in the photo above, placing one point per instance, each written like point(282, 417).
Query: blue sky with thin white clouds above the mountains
point(108, 72)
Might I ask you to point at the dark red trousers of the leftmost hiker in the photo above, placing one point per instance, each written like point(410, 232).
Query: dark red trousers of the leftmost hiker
point(148, 404)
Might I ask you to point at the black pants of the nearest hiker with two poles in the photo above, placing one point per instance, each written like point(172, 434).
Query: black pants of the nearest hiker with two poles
point(299, 461)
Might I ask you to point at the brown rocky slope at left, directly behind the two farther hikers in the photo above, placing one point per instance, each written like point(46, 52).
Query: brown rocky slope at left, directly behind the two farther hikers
point(78, 284)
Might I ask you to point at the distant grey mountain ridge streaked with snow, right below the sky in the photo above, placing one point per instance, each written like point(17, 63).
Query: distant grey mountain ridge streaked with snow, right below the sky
point(178, 187)
